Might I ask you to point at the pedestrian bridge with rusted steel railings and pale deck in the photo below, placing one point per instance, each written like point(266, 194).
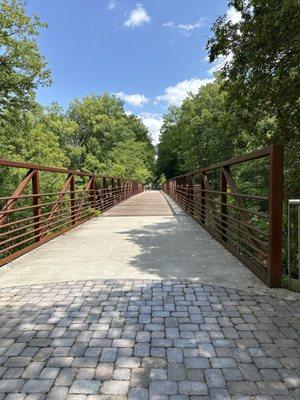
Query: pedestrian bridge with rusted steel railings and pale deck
point(243, 214)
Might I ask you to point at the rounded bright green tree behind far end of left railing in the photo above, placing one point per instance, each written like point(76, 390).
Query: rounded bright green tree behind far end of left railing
point(102, 129)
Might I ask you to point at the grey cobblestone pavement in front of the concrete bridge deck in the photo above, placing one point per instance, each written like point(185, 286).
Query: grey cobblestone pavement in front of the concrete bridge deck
point(96, 340)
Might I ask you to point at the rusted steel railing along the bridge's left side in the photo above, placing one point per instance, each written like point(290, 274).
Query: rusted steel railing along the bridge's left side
point(47, 201)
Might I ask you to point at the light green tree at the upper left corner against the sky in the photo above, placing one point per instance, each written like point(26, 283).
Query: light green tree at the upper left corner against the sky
point(22, 68)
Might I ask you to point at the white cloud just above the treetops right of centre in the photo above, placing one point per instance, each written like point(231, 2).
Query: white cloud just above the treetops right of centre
point(174, 95)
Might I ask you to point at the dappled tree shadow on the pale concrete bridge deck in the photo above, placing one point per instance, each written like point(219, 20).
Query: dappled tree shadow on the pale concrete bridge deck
point(178, 248)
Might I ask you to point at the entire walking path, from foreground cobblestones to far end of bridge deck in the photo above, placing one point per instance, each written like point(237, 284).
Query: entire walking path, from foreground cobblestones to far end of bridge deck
point(143, 307)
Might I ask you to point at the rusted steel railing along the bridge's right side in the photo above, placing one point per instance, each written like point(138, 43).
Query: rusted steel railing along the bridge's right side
point(247, 224)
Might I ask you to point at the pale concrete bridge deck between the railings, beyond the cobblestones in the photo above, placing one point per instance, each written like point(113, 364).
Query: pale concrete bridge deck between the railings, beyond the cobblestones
point(165, 245)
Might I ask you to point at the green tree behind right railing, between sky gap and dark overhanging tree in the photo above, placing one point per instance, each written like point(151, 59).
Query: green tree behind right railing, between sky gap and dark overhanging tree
point(194, 135)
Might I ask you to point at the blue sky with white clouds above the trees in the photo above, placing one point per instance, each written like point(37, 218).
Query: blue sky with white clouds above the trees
point(150, 53)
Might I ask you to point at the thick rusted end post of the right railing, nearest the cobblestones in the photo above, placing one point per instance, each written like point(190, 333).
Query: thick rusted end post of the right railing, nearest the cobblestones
point(275, 215)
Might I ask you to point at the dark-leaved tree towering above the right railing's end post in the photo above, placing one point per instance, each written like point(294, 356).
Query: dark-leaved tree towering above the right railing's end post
point(262, 76)
